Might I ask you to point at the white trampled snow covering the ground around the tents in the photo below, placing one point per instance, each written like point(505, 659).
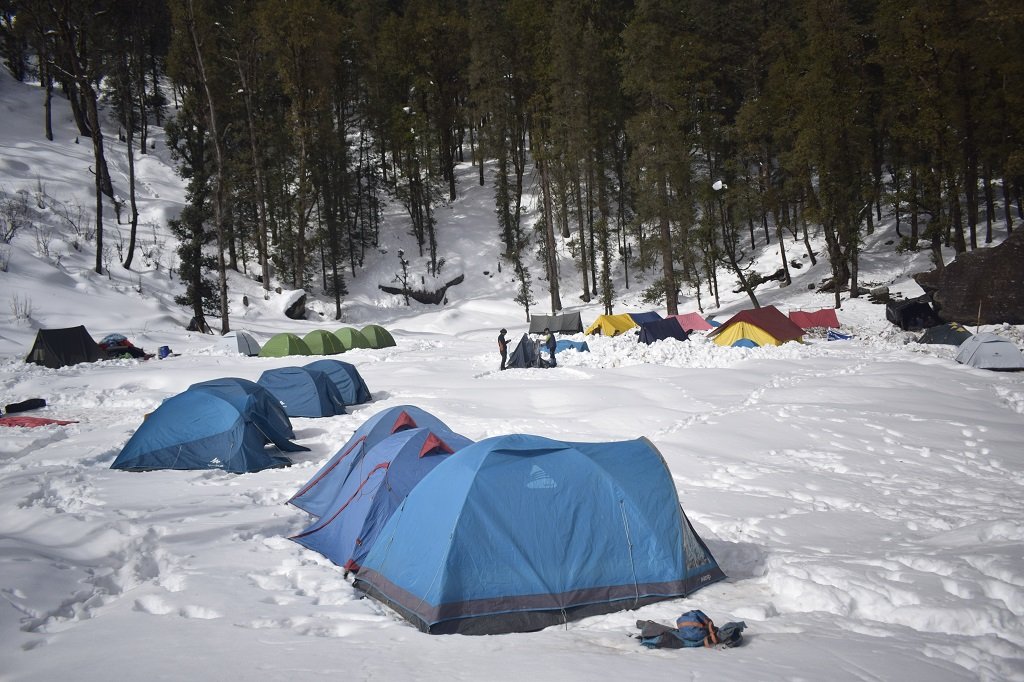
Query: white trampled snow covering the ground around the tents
point(865, 497)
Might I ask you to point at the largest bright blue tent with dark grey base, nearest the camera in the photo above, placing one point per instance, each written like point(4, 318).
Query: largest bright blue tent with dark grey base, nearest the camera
point(519, 533)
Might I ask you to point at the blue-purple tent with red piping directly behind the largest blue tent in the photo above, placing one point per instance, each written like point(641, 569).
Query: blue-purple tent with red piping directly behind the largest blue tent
point(374, 489)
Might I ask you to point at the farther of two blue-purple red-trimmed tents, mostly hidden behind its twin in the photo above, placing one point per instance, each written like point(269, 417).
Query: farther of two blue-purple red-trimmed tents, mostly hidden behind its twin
point(321, 491)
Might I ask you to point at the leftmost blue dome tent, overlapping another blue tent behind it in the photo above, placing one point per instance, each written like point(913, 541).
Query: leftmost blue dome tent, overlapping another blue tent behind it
point(198, 431)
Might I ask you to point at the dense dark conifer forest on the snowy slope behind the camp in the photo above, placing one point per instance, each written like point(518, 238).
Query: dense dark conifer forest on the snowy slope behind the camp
point(664, 141)
